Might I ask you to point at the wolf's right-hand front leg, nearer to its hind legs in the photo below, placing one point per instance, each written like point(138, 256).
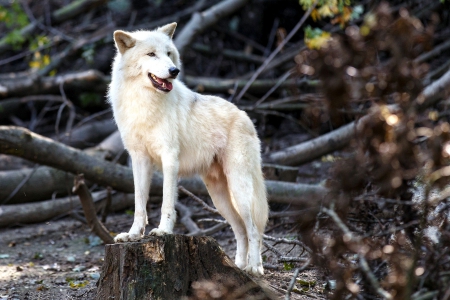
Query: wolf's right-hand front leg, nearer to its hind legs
point(168, 215)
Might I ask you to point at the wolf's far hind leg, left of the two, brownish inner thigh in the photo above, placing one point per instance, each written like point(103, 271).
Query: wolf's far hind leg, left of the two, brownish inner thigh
point(217, 186)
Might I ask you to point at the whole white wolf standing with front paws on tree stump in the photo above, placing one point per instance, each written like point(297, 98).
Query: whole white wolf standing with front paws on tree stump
point(163, 124)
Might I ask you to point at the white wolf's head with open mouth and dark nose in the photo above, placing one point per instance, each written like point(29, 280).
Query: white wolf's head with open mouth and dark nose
point(149, 56)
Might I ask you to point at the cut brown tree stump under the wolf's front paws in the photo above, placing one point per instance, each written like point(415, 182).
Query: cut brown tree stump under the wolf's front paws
point(166, 268)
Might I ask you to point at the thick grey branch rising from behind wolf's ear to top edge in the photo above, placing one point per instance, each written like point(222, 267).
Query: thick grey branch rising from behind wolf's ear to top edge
point(205, 19)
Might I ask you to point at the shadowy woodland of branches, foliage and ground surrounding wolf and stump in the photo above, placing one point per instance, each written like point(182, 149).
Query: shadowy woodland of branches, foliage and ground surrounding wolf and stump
point(351, 103)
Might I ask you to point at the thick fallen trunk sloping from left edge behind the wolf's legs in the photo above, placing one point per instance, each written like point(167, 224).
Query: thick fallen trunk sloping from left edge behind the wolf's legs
point(23, 143)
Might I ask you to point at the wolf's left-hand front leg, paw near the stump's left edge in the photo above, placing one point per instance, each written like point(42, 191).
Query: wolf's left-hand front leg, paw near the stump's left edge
point(142, 173)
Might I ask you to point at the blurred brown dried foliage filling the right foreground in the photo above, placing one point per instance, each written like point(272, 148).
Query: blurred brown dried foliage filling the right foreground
point(385, 231)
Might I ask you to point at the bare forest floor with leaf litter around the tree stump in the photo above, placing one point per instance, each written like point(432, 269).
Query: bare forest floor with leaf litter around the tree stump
point(63, 260)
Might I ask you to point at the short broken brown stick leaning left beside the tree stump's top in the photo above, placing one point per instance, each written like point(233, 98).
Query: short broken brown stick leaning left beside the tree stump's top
point(87, 203)
